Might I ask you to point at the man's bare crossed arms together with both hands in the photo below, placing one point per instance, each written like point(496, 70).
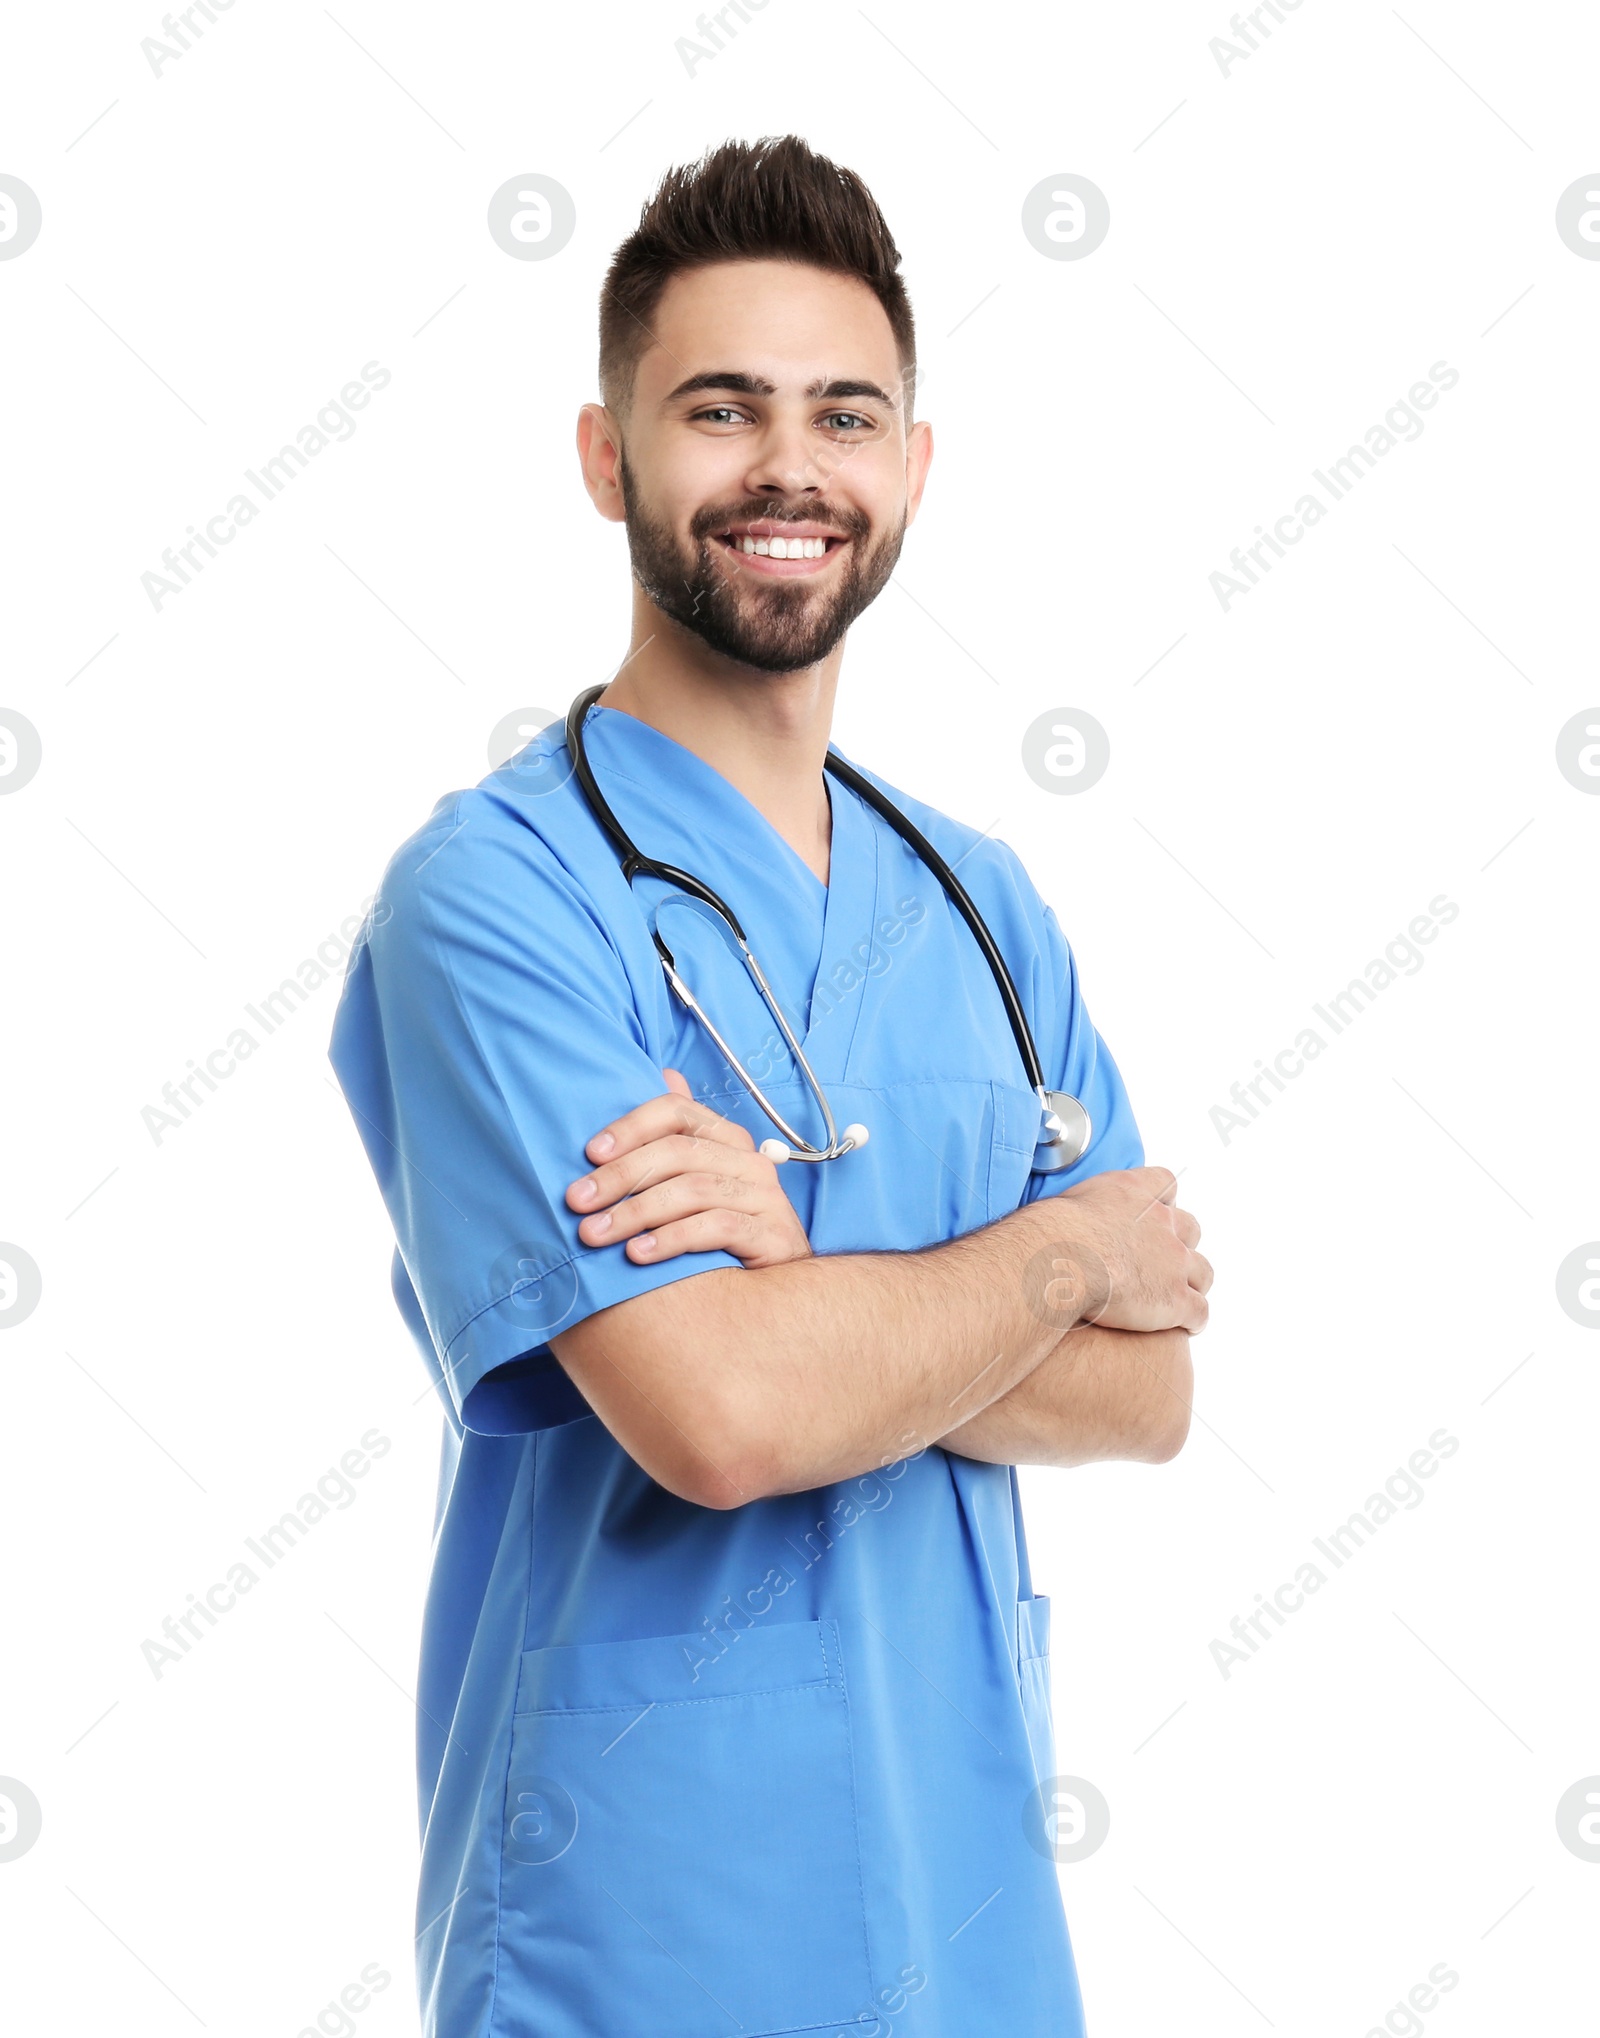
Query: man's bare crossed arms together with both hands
point(1057, 1336)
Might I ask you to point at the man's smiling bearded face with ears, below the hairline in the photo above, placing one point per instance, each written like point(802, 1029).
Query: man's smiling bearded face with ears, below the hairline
point(767, 474)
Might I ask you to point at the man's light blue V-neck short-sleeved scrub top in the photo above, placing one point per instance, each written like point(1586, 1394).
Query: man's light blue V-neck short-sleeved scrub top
point(690, 1772)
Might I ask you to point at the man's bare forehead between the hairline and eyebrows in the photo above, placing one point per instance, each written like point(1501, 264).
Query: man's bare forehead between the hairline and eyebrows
point(788, 323)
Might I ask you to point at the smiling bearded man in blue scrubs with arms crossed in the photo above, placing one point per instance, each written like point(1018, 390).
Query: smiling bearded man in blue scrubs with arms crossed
point(735, 1688)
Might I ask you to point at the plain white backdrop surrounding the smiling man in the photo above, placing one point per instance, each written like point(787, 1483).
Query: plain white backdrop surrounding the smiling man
point(1293, 780)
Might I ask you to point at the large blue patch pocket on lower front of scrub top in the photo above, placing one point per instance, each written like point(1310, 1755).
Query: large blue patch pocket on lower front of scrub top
point(680, 1841)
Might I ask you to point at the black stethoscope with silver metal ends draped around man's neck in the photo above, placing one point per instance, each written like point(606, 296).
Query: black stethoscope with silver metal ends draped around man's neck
point(1065, 1128)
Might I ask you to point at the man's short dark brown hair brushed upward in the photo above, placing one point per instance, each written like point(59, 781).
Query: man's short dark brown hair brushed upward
point(749, 201)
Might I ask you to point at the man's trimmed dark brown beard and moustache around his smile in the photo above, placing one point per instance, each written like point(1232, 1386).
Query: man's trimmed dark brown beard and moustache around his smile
point(776, 627)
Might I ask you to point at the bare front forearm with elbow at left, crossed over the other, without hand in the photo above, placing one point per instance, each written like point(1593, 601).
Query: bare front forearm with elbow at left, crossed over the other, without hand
point(745, 1383)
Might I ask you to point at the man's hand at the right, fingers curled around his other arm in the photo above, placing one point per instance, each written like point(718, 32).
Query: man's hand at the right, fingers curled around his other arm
point(1128, 1254)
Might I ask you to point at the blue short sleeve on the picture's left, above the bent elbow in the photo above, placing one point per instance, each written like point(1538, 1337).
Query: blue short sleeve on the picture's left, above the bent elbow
point(486, 1032)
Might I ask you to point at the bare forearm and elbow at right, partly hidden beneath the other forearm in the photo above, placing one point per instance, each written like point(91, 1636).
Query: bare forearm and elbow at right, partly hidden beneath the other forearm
point(1098, 1395)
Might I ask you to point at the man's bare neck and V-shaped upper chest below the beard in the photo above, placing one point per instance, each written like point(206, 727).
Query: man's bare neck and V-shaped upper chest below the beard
point(765, 733)
